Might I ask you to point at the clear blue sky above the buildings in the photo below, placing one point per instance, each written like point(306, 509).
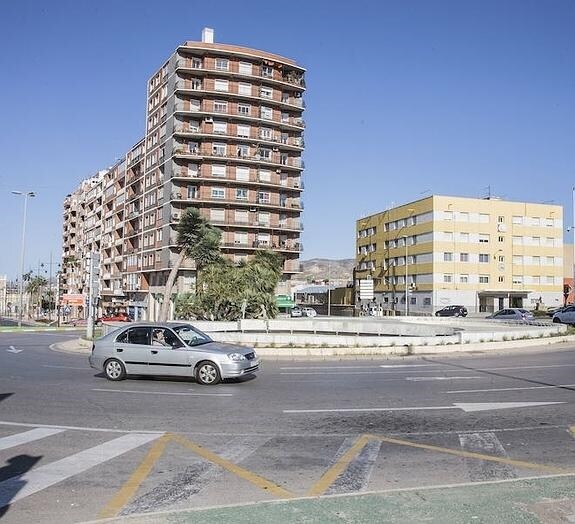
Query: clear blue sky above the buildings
point(405, 98)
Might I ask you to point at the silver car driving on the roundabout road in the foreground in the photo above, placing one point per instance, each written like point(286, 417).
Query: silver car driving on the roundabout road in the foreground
point(170, 349)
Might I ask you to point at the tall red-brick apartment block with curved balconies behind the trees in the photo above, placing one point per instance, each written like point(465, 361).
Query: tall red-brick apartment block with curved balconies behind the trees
point(224, 134)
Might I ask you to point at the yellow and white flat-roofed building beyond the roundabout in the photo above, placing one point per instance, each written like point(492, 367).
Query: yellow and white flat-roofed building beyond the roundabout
point(485, 254)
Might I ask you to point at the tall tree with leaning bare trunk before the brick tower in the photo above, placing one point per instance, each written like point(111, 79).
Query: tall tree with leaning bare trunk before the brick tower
point(198, 240)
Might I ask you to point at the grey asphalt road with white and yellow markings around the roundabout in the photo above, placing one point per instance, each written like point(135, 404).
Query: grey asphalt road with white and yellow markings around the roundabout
point(74, 446)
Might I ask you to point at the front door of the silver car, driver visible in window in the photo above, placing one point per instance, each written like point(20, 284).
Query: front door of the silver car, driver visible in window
point(169, 357)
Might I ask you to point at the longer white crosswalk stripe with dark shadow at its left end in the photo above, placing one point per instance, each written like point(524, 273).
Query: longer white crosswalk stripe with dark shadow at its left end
point(16, 488)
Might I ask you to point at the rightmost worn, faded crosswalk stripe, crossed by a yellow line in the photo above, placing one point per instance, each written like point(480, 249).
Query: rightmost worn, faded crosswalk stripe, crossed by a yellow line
point(482, 470)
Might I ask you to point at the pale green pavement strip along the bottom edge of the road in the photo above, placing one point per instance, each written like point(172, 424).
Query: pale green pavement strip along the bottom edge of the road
point(532, 500)
